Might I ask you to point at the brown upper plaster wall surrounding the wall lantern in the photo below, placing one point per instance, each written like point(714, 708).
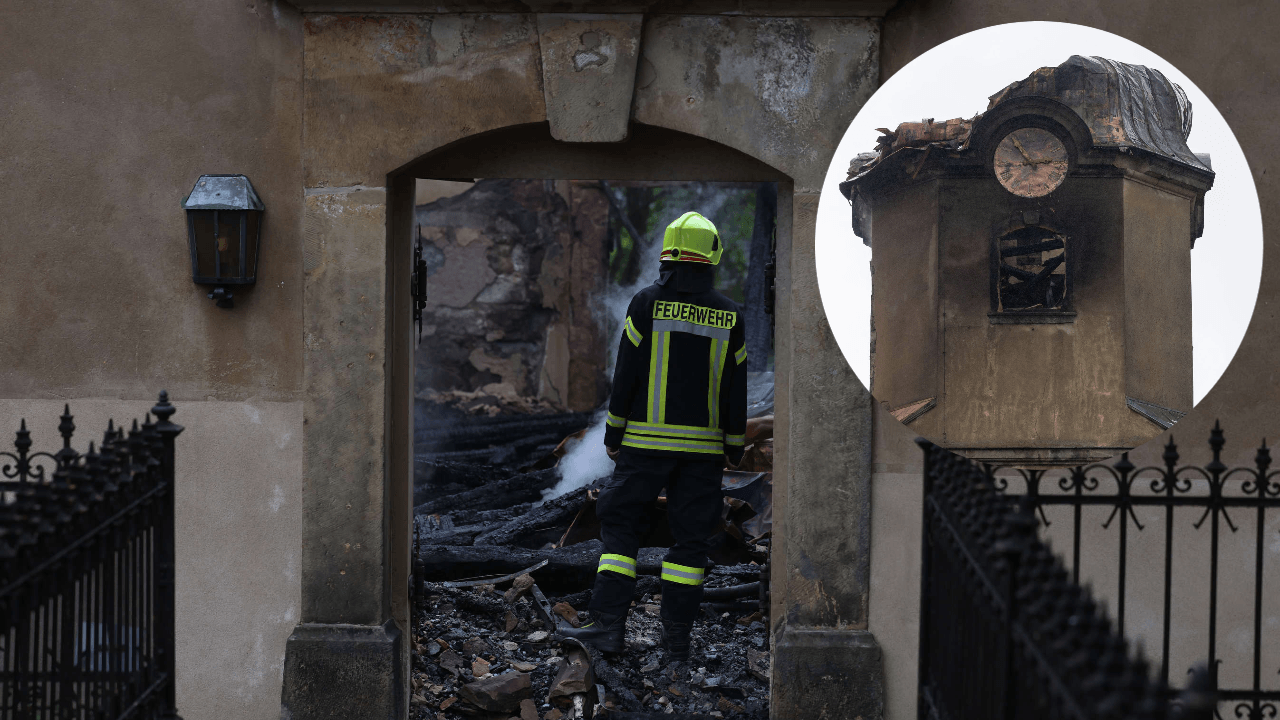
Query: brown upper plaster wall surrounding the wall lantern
point(112, 113)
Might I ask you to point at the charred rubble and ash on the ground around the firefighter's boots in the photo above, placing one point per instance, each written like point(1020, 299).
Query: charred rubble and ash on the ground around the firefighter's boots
point(479, 654)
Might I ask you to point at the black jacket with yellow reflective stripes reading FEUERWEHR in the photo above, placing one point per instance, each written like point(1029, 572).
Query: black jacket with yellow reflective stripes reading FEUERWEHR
point(680, 382)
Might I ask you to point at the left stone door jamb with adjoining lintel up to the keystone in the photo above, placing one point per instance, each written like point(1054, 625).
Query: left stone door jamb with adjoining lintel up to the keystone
point(367, 83)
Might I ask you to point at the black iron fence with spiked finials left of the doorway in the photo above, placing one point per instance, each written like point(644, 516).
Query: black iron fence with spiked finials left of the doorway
point(86, 575)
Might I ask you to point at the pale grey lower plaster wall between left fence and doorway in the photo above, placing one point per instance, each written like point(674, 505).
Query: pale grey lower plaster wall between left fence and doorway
point(239, 520)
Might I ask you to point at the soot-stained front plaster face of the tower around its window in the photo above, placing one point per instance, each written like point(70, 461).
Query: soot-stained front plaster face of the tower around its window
point(1021, 386)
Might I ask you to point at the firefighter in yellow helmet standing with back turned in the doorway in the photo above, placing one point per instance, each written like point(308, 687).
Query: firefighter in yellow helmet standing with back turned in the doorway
point(678, 413)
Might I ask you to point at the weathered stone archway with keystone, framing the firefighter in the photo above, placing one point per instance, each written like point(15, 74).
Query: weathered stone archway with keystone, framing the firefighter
point(365, 116)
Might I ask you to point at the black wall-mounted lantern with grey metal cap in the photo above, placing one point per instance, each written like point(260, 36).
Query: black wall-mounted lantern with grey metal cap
point(225, 218)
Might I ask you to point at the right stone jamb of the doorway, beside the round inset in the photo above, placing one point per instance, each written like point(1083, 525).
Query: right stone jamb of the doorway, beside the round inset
point(826, 664)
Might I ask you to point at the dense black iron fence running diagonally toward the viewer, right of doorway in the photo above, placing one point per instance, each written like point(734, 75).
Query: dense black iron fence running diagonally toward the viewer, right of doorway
point(1005, 631)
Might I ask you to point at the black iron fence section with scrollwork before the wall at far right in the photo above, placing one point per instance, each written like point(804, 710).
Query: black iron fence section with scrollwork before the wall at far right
point(1178, 541)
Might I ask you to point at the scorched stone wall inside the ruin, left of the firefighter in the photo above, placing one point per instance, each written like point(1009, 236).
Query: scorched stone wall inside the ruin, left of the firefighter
point(513, 270)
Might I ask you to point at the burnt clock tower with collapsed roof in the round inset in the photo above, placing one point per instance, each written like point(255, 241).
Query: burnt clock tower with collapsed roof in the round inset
point(1031, 298)
